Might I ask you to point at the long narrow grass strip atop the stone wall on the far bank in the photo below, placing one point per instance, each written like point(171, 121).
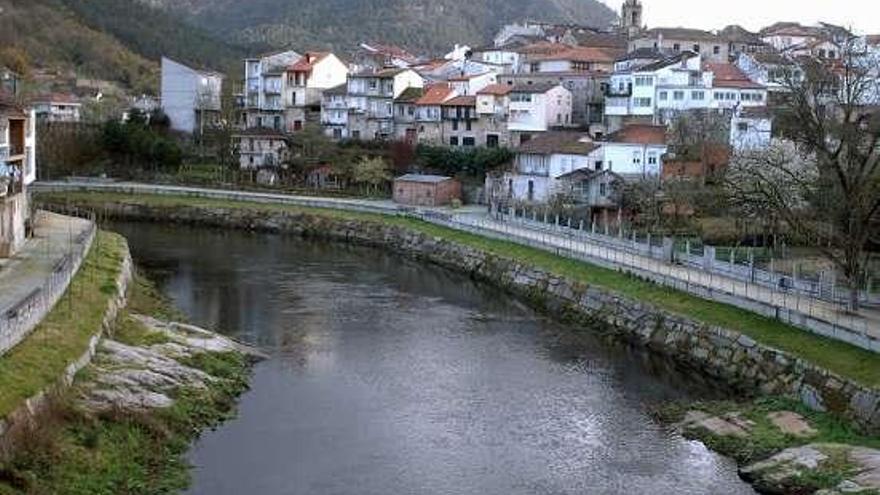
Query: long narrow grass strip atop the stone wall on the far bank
point(846, 360)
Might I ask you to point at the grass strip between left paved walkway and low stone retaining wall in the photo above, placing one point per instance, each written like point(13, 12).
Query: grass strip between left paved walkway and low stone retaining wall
point(63, 336)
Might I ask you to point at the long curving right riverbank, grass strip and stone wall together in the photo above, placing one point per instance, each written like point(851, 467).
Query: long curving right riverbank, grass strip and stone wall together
point(750, 353)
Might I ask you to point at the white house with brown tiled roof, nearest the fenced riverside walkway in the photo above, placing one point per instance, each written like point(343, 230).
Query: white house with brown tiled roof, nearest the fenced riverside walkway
point(541, 162)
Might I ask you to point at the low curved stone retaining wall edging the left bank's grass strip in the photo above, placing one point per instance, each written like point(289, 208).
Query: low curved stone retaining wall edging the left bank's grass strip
point(32, 406)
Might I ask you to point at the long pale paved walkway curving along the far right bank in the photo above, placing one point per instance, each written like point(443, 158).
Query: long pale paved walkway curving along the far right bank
point(832, 319)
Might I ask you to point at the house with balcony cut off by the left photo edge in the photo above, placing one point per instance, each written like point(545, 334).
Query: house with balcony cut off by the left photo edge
point(17, 172)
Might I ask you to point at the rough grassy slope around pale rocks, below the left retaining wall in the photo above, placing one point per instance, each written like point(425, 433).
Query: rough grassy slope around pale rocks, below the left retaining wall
point(75, 452)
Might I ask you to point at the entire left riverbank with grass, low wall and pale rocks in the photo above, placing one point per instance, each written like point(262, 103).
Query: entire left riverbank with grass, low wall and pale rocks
point(124, 424)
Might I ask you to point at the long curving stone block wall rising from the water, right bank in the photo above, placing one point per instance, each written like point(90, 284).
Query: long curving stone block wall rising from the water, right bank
point(735, 359)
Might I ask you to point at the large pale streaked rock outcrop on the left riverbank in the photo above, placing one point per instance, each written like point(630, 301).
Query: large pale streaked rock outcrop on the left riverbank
point(133, 378)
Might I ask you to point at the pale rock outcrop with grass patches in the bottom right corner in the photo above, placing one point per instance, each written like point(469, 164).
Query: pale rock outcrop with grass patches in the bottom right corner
point(791, 470)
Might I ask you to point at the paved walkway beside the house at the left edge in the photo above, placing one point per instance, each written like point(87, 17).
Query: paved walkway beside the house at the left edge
point(54, 238)
